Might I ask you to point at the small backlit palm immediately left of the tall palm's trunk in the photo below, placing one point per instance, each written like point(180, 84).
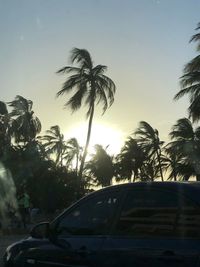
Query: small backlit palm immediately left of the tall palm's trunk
point(73, 152)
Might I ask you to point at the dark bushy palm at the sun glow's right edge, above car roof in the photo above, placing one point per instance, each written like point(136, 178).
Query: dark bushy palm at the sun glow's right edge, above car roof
point(129, 161)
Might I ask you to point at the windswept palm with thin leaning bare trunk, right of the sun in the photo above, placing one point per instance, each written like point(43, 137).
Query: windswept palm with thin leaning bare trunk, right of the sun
point(148, 139)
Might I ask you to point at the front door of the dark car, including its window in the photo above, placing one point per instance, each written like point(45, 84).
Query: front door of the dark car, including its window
point(80, 232)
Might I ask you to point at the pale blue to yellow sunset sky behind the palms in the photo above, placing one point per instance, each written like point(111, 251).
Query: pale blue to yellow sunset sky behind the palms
point(144, 44)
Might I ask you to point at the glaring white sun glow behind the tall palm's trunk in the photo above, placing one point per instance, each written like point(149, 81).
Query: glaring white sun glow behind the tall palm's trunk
point(101, 134)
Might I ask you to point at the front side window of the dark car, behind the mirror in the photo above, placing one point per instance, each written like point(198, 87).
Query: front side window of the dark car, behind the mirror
point(92, 217)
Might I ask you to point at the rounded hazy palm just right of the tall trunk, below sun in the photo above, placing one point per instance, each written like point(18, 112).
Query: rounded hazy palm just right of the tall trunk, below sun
point(100, 167)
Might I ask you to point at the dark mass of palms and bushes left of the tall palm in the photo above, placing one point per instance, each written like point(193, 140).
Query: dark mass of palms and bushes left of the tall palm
point(37, 162)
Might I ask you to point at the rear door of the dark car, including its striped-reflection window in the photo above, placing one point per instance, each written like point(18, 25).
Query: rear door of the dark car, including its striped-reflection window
point(154, 228)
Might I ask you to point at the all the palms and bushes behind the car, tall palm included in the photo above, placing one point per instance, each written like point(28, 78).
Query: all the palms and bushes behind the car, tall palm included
point(56, 171)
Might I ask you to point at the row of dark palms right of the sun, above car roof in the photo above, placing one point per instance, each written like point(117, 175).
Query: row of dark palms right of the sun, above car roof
point(145, 157)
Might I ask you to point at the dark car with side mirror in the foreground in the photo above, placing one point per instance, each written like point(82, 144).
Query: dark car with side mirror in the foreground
point(133, 224)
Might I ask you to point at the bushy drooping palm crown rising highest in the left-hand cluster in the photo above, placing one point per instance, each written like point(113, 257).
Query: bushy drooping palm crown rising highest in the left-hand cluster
point(25, 125)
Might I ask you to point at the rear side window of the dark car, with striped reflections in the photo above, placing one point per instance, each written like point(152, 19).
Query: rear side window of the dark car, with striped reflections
point(152, 213)
